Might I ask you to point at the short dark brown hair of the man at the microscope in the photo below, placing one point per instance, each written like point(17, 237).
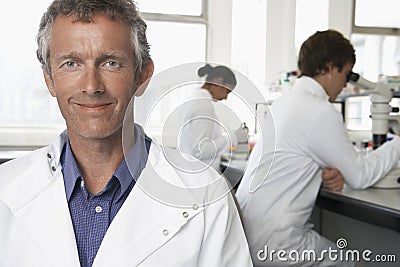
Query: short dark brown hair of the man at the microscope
point(322, 48)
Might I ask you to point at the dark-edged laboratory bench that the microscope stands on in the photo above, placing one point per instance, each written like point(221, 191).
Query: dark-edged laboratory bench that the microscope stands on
point(368, 219)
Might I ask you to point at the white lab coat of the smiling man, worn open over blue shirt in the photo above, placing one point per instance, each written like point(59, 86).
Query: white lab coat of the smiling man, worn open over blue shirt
point(36, 227)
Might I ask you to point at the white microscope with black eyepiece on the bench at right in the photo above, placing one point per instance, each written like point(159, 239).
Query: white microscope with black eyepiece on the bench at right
point(380, 95)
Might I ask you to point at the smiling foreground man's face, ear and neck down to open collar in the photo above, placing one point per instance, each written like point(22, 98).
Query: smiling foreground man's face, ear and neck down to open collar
point(92, 75)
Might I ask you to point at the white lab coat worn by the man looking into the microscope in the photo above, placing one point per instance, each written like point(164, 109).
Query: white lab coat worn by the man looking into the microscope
point(302, 134)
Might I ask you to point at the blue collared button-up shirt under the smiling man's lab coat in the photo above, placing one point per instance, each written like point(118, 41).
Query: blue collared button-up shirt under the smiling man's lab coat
point(92, 214)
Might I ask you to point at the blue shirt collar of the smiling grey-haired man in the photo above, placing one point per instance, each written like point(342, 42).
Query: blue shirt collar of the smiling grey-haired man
point(125, 173)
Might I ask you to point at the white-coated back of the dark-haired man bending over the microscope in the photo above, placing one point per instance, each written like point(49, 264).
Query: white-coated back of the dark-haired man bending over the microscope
point(292, 176)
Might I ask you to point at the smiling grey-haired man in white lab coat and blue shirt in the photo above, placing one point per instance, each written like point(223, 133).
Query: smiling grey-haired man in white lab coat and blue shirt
point(80, 201)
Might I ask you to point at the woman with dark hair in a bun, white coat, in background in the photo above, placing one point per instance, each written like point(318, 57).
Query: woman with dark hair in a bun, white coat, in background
point(202, 132)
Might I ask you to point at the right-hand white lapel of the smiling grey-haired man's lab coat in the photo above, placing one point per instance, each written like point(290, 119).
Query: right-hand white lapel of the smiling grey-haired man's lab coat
point(143, 224)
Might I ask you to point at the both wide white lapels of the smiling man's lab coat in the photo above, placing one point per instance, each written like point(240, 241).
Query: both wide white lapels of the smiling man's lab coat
point(41, 208)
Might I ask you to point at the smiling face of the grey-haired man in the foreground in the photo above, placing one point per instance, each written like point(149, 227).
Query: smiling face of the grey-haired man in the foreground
point(92, 74)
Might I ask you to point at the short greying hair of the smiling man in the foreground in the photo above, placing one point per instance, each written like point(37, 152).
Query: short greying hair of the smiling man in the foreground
point(84, 11)
